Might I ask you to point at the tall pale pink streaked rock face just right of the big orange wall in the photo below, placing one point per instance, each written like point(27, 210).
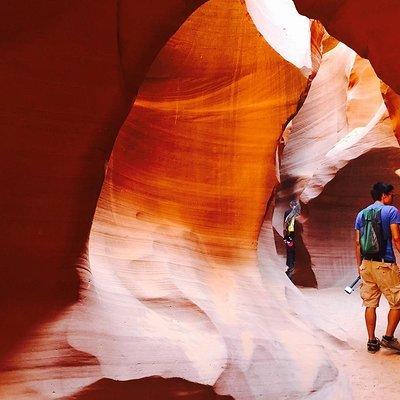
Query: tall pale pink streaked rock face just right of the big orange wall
point(320, 123)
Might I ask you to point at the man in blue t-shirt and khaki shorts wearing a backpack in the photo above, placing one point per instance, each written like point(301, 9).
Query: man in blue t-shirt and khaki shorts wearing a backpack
point(377, 225)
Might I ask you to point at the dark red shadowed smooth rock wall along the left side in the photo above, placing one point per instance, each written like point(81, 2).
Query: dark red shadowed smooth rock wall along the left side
point(63, 104)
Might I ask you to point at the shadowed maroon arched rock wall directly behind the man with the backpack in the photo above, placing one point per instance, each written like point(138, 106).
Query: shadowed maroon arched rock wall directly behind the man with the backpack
point(331, 242)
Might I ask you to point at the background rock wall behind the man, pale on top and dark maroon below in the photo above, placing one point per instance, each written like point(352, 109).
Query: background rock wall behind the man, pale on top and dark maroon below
point(346, 127)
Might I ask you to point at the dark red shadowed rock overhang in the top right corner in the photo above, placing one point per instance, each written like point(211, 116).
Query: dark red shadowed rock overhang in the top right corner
point(369, 27)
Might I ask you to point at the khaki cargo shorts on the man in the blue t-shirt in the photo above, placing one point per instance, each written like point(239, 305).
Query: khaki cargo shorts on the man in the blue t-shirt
point(380, 278)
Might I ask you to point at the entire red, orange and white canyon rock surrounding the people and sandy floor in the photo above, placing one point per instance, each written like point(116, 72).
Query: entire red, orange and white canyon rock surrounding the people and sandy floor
point(177, 294)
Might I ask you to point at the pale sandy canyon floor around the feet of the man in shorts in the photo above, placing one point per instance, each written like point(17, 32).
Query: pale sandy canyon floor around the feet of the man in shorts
point(371, 376)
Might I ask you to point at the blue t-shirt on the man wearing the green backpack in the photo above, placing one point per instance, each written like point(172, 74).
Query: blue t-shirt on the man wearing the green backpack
point(389, 215)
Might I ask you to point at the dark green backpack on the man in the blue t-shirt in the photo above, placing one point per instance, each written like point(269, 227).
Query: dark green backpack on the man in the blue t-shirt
point(372, 239)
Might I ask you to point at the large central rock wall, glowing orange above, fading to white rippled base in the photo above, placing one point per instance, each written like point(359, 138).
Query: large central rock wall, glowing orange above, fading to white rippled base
point(172, 248)
